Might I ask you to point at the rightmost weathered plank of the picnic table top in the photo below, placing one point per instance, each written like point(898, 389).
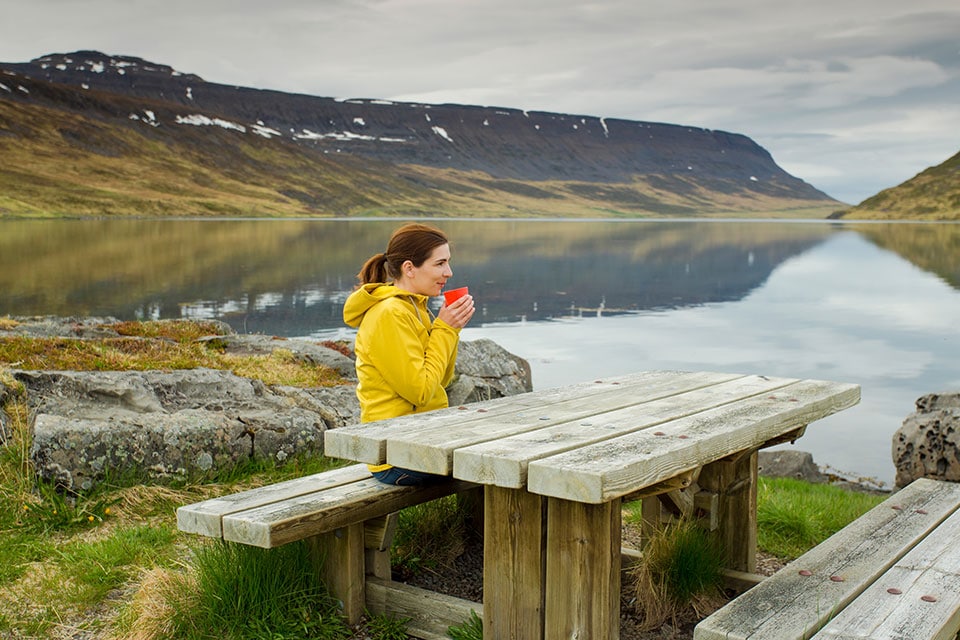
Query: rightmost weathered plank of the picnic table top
point(615, 468)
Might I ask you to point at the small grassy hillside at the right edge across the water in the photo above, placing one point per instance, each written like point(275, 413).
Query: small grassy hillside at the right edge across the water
point(933, 194)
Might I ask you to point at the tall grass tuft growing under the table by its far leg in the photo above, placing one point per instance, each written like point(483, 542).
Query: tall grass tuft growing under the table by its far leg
point(681, 570)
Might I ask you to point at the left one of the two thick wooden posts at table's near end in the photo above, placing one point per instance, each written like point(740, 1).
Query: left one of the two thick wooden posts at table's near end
point(513, 564)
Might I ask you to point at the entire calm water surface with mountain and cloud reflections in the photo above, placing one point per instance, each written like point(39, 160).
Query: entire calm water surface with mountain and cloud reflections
point(875, 304)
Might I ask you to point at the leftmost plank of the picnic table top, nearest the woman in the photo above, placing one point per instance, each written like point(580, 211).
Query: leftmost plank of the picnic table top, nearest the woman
point(368, 442)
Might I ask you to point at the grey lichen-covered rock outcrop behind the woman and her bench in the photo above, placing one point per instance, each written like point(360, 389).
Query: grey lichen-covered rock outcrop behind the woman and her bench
point(162, 425)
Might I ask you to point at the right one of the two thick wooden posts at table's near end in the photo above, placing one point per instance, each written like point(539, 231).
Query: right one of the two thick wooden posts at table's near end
point(583, 570)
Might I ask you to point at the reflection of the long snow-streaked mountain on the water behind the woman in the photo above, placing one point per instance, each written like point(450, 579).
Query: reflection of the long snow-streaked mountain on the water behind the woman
point(290, 277)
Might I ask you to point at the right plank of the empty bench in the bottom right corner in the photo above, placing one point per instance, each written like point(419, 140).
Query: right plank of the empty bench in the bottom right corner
point(930, 570)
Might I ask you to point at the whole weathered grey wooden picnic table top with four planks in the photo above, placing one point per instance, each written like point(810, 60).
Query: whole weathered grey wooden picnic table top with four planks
point(596, 441)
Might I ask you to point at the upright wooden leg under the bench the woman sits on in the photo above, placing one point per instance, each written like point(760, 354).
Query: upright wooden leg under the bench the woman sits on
point(341, 557)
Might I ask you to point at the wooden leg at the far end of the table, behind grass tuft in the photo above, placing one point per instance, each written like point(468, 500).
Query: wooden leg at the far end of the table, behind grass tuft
point(734, 481)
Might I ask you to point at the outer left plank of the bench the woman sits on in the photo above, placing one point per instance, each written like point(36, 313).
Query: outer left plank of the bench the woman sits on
point(205, 517)
